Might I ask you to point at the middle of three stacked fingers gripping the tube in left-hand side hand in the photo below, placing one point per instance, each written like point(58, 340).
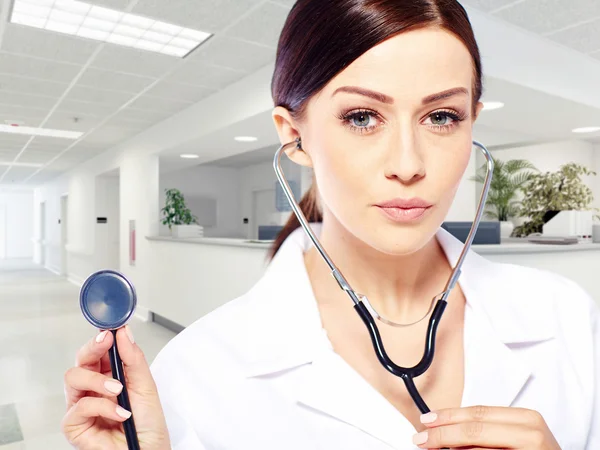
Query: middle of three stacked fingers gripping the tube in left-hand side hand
point(79, 381)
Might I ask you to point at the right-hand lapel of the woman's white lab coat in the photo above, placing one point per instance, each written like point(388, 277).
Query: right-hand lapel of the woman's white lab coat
point(496, 371)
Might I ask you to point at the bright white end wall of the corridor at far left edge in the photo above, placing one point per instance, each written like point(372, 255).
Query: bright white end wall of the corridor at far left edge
point(17, 241)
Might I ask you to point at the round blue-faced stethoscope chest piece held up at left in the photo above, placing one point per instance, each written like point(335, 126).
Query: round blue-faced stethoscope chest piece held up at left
point(107, 300)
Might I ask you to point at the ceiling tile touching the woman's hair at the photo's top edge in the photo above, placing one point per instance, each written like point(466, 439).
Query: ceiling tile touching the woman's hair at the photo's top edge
point(262, 26)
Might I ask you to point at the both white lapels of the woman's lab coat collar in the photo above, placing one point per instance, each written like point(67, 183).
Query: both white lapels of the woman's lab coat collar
point(294, 338)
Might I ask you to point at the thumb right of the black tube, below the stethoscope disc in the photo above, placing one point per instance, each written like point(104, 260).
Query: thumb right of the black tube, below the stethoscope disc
point(137, 371)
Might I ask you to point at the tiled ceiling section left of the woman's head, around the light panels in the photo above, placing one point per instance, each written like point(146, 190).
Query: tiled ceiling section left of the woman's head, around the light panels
point(112, 93)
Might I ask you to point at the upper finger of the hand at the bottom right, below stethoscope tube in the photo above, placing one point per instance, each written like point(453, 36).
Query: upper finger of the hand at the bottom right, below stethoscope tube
point(516, 416)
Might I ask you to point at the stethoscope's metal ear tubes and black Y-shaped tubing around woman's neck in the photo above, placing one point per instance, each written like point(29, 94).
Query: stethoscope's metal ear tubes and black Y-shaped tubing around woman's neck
point(361, 304)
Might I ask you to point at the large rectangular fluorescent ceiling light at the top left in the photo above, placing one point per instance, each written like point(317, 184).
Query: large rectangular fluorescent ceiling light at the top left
point(107, 25)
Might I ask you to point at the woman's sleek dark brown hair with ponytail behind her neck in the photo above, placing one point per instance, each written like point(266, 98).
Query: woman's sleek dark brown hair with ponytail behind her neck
point(322, 37)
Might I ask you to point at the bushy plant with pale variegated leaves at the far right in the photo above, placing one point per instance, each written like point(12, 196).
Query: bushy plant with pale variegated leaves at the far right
point(551, 192)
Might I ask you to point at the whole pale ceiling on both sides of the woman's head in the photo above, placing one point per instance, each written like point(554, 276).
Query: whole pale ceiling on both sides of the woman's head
point(113, 93)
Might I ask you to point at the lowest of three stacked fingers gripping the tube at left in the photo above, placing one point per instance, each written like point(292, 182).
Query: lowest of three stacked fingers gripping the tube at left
point(90, 407)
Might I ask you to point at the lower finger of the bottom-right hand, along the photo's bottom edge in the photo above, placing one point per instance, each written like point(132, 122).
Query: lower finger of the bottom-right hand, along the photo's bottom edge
point(477, 434)
